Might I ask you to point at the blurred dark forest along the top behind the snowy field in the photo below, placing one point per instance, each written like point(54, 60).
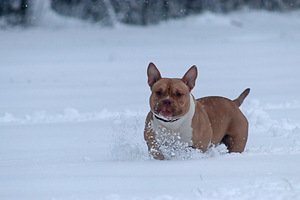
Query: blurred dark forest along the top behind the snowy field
point(135, 12)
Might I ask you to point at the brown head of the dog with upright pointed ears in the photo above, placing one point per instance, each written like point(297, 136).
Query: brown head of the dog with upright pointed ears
point(170, 98)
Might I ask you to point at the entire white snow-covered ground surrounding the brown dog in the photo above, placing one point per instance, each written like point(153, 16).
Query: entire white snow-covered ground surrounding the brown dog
point(74, 99)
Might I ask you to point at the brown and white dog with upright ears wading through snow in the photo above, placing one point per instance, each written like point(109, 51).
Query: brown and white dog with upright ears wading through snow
point(198, 123)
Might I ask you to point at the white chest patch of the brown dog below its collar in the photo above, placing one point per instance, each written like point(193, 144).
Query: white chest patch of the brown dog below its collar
point(168, 133)
